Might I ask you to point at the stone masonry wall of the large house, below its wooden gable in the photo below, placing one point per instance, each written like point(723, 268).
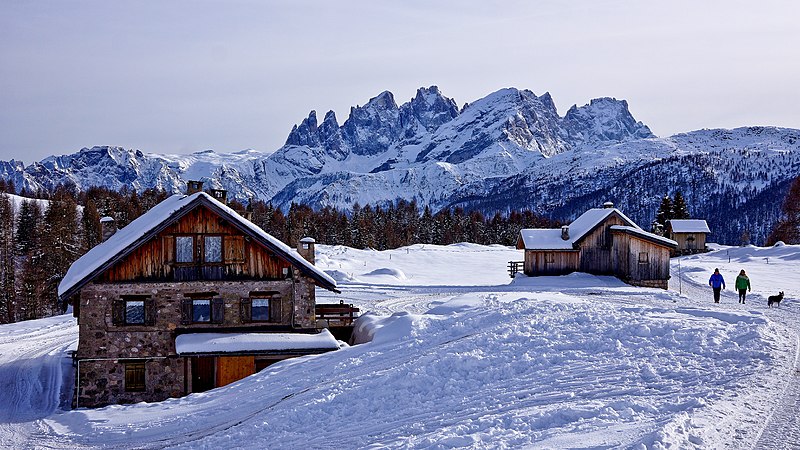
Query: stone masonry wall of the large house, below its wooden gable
point(102, 382)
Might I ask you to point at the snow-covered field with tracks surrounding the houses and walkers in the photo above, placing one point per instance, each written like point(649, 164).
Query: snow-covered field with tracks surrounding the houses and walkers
point(461, 356)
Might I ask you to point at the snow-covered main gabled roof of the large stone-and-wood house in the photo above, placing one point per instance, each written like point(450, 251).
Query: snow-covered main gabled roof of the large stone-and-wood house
point(156, 219)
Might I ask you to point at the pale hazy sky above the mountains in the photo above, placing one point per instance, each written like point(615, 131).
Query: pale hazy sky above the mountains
point(181, 76)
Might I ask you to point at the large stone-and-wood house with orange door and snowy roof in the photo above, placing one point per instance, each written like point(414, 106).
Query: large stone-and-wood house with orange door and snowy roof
point(188, 297)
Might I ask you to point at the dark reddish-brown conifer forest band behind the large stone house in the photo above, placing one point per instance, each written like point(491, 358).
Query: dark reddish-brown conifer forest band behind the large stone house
point(40, 240)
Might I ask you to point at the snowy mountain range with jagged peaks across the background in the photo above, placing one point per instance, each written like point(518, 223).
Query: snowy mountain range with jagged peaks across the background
point(508, 150)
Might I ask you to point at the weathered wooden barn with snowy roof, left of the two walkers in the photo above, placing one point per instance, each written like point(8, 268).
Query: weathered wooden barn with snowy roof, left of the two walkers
point(602, 241)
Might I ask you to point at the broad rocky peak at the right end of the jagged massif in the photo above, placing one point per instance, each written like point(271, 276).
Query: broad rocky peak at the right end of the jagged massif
point(604, 120)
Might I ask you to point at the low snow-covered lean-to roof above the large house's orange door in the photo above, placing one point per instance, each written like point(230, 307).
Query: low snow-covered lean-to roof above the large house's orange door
point(195, 343)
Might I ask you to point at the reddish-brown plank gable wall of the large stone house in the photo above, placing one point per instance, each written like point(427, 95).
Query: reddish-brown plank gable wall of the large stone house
point(154, 260)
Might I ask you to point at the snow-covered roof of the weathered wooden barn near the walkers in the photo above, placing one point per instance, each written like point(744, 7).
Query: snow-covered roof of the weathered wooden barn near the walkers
point(550, 238)
